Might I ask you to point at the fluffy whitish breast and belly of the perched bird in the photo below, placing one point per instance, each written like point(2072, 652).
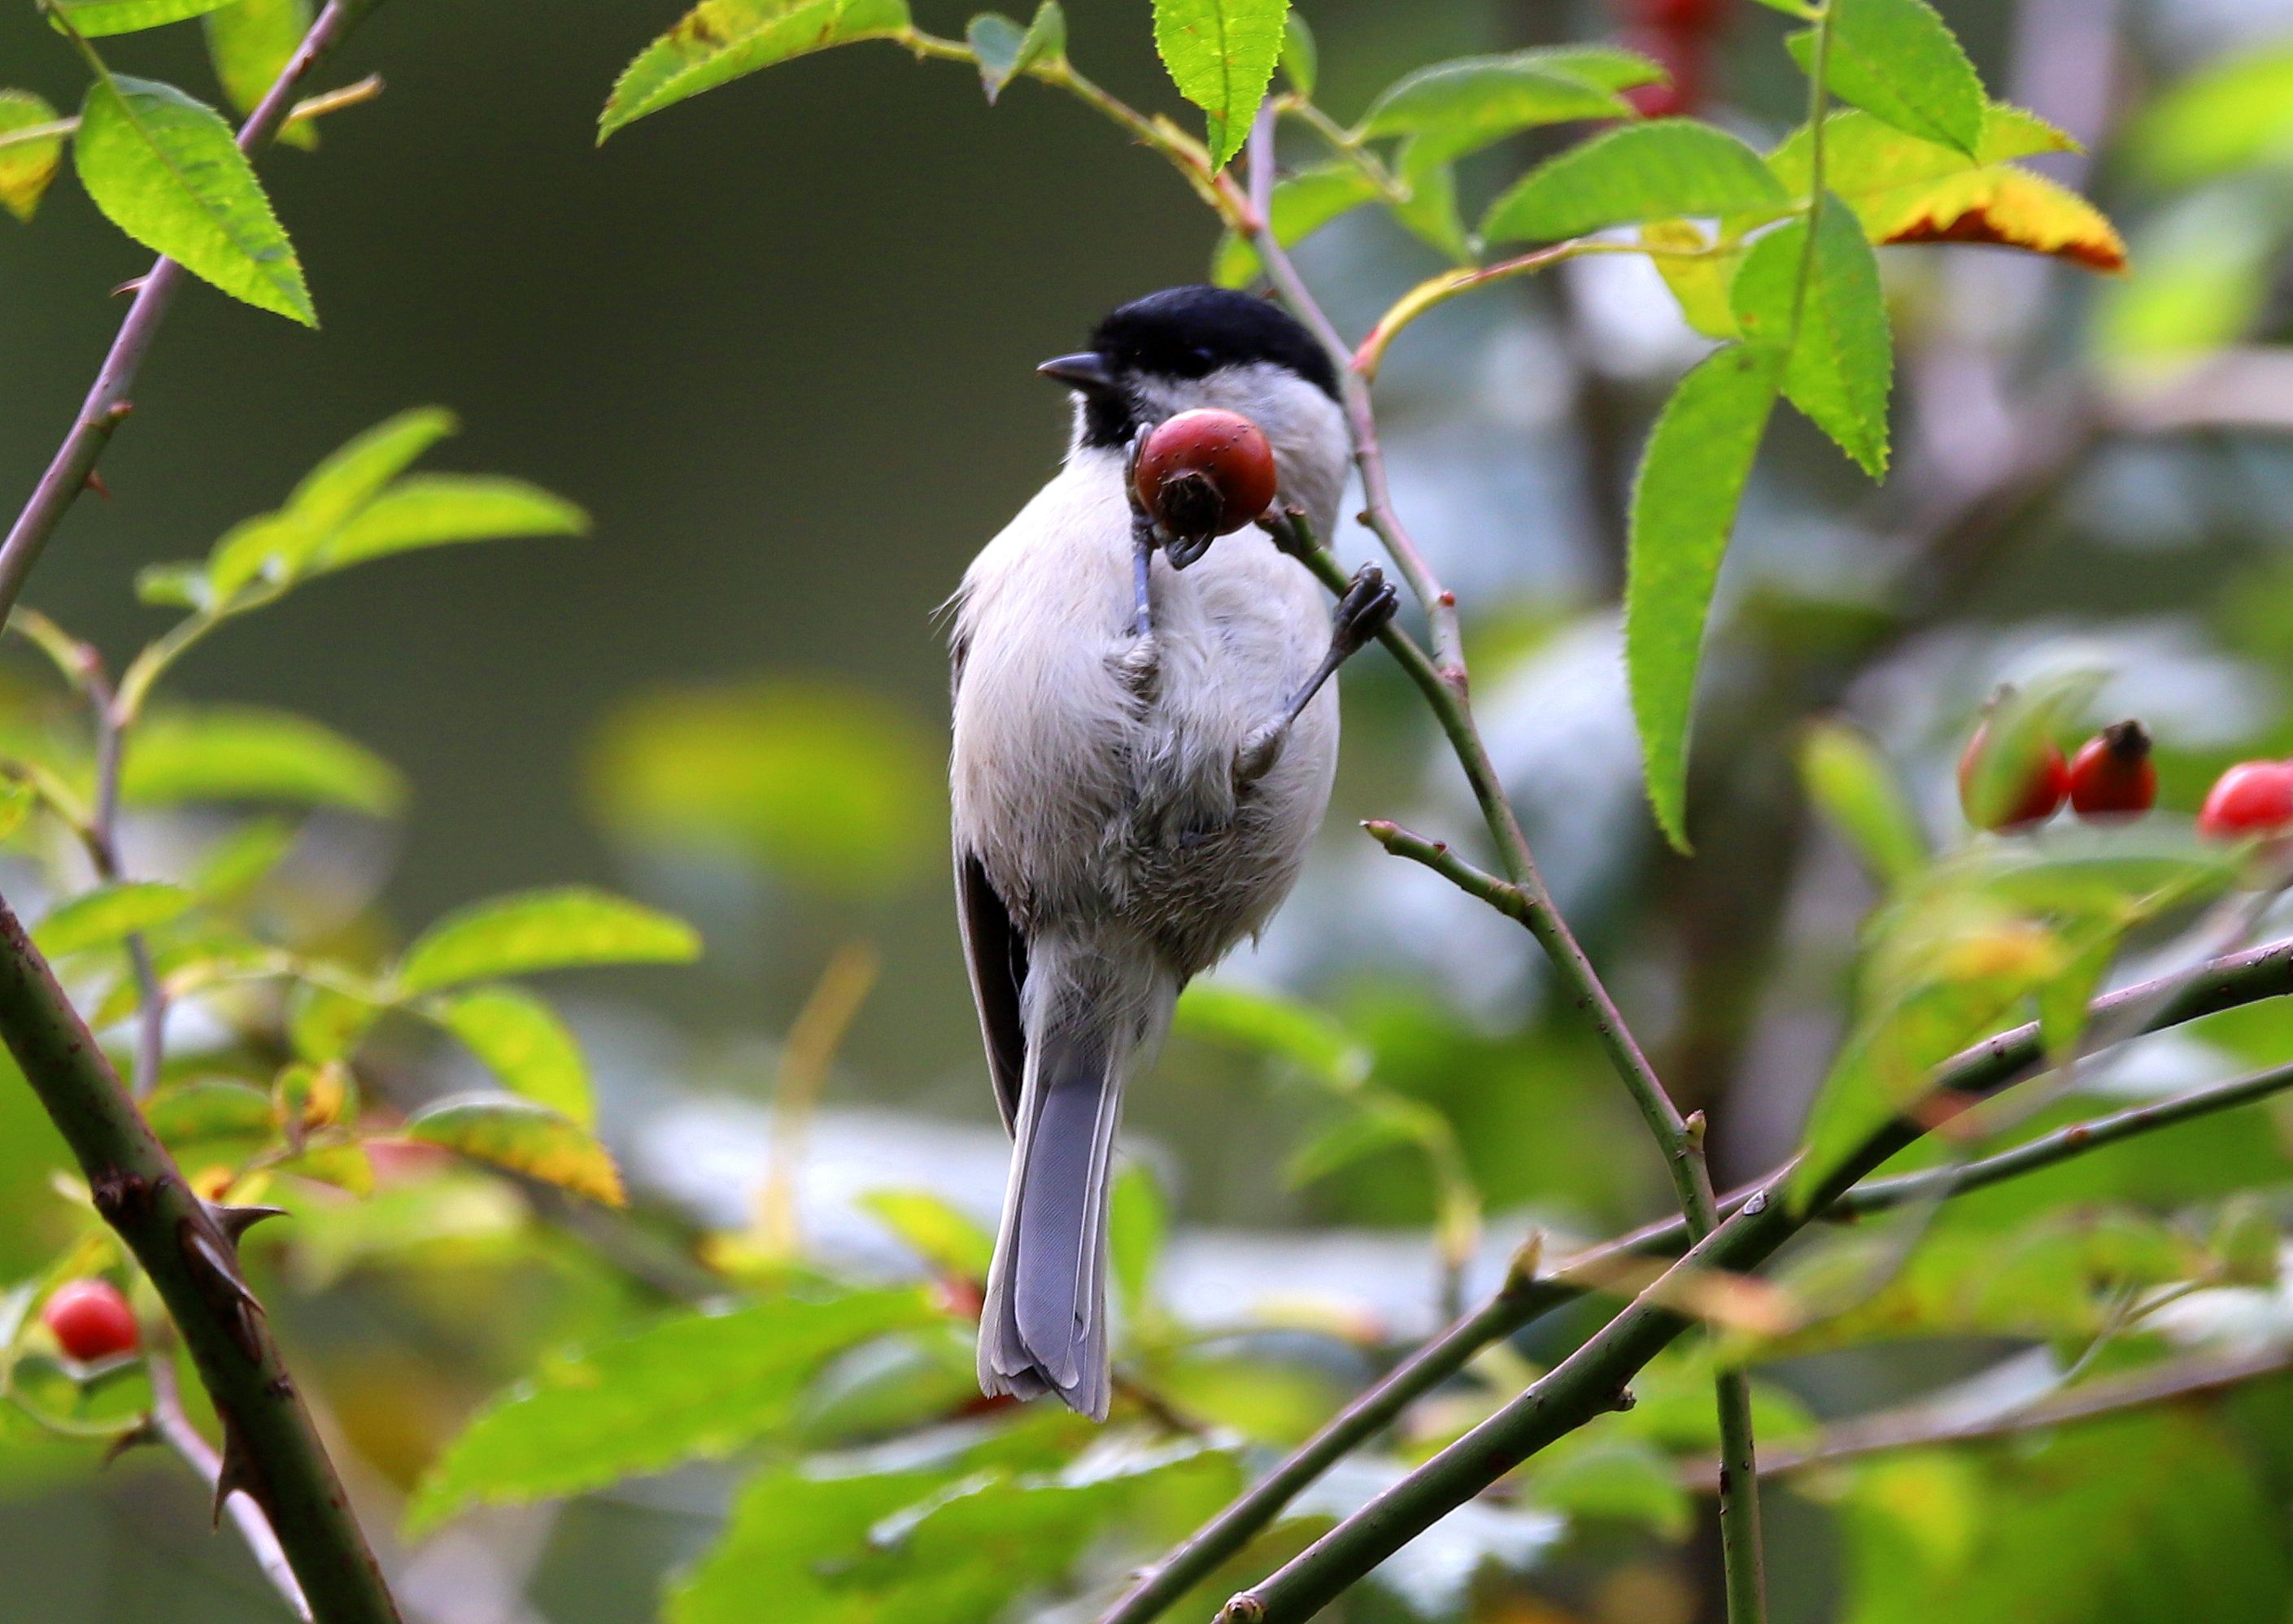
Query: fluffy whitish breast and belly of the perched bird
point(1095, 797)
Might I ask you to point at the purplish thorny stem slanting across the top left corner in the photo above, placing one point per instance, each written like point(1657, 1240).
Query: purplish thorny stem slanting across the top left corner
point(107, 405)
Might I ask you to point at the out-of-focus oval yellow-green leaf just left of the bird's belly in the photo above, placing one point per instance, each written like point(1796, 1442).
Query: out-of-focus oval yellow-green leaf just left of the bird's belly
point(822, 783)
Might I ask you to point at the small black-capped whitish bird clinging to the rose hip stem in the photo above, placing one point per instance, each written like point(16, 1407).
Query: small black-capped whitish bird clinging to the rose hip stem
point(1143, 751)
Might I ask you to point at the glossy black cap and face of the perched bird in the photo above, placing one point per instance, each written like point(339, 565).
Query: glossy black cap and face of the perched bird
point(1173, 336)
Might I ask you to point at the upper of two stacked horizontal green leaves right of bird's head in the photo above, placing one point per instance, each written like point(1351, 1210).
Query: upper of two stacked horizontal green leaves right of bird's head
point(1462, 107)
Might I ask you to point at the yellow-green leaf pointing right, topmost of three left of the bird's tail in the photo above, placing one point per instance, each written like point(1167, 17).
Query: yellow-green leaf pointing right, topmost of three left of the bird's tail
point(542, 930)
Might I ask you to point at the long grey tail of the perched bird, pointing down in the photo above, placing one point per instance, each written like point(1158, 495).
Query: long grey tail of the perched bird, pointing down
point(1044, 1325)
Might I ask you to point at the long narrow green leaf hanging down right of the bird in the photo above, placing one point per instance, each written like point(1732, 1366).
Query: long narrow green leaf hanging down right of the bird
point(1684, 508)
